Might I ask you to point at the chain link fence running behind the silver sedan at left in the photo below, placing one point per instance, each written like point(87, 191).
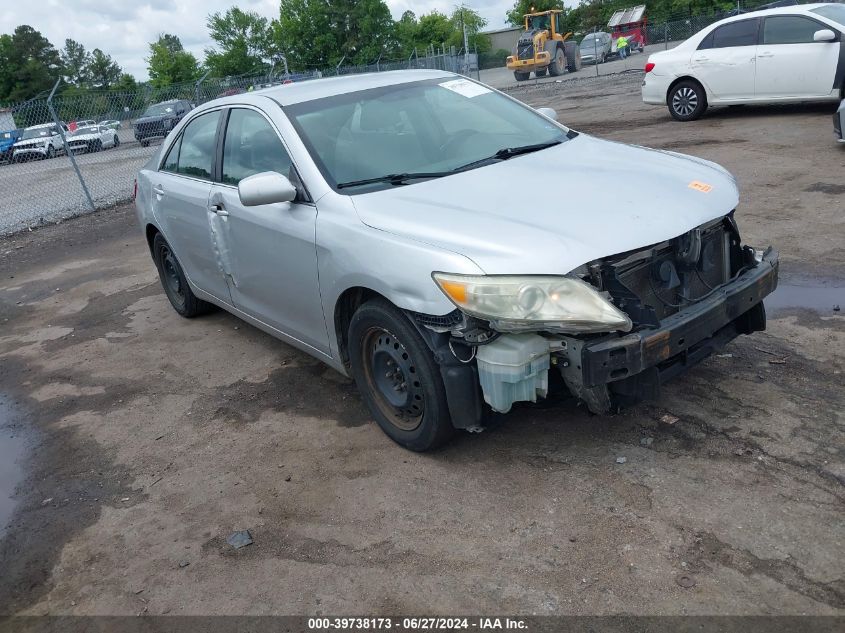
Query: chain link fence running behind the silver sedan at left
point(69, 153)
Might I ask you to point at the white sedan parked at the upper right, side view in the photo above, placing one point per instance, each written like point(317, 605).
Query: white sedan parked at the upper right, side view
point(789, 54)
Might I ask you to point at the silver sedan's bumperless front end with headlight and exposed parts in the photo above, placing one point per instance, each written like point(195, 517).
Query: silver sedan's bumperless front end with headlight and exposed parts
point(614, 329)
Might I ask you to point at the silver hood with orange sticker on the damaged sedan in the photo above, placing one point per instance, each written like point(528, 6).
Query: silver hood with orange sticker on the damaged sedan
point(525, 215)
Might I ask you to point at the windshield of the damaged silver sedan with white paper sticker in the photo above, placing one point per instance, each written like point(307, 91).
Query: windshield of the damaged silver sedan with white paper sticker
point(425, 127)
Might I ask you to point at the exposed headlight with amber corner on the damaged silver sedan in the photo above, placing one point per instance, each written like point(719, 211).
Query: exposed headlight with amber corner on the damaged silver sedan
point(531, 302)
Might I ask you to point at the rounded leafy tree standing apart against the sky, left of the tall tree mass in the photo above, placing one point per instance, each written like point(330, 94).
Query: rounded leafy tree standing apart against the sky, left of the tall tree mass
point(244, 42)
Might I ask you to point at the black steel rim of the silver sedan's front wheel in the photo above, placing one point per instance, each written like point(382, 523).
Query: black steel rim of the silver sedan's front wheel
point(392, 377)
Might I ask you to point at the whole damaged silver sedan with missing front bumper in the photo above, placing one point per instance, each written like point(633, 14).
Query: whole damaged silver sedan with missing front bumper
point(426, 235)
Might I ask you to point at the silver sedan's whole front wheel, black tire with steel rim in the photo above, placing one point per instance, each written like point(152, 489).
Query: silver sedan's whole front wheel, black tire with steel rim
point(398, 377)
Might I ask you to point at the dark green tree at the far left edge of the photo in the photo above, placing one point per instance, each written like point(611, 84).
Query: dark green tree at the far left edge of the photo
point(29, 64)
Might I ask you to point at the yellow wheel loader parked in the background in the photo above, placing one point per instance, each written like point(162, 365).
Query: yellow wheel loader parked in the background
point(542, 49)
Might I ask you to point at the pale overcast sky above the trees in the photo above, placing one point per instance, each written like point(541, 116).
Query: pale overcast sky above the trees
point(124, 28)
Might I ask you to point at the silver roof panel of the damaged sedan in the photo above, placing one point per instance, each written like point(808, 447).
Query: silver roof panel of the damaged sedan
point(298, 92)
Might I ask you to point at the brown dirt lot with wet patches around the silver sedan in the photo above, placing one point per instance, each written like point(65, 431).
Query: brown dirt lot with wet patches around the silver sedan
point(151, 438)
